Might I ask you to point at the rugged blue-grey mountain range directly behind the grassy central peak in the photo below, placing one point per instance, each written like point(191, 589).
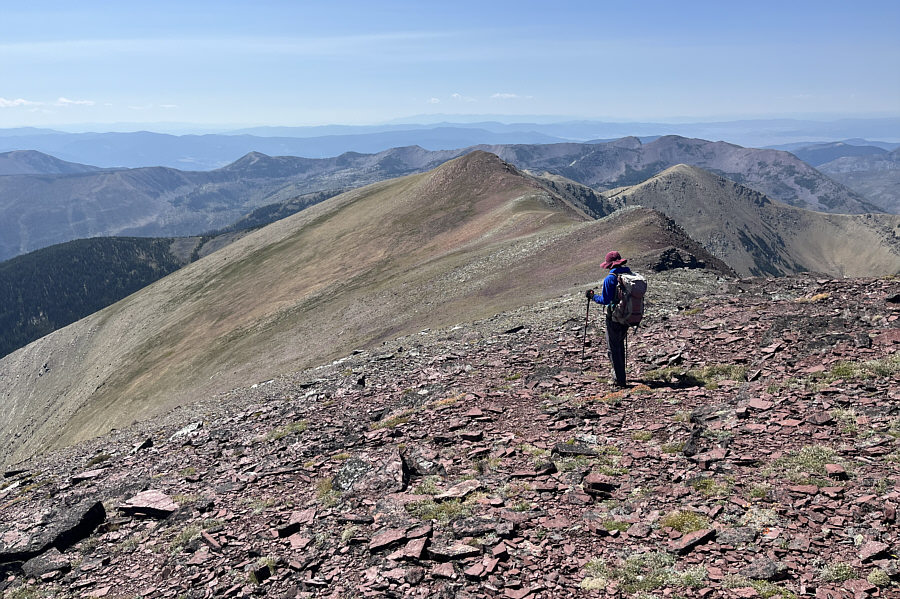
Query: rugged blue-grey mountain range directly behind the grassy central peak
point(41, 210)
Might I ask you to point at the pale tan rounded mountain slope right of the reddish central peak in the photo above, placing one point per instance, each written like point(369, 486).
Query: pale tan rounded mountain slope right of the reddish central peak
point(757, 236)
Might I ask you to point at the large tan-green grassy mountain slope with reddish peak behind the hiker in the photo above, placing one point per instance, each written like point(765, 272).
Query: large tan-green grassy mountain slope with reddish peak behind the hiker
point(462, 242)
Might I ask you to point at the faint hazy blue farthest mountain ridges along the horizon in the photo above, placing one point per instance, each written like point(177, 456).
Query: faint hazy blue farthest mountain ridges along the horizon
point(217, 149)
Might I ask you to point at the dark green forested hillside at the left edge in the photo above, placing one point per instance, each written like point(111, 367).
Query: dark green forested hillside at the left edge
point(55, 286)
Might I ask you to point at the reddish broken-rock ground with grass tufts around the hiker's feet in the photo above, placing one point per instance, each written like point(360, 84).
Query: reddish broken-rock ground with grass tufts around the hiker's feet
point(755, 454)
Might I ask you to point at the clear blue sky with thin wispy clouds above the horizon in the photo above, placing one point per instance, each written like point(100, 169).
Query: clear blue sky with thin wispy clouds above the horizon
point(291, 63)
